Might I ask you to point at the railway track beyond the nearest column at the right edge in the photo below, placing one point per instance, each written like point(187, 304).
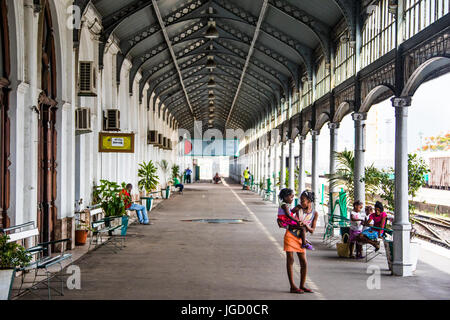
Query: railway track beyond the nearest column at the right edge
point(433, 229)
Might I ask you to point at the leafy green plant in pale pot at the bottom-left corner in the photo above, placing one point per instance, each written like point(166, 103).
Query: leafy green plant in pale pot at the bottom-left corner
point(12, 256)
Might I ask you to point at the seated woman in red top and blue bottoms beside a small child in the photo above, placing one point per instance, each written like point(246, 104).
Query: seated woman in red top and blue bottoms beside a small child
point(371, 235)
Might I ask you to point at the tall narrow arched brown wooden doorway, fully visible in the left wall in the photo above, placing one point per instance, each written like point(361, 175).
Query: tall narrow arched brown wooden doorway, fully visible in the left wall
point(47, 139)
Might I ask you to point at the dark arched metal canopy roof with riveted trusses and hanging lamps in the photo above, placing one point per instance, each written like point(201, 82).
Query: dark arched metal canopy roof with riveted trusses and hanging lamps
point(258, 50)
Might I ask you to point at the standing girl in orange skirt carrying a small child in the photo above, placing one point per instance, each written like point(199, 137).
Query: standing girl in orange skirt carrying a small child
point(293, 243)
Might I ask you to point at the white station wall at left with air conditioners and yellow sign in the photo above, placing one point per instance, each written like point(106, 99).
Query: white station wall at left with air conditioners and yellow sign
point(93, 166)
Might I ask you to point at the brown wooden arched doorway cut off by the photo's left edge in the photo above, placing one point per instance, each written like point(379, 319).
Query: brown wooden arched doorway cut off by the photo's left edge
point(4, 119)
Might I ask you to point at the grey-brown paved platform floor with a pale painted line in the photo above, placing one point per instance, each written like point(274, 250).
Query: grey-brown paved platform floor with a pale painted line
point(179, 259)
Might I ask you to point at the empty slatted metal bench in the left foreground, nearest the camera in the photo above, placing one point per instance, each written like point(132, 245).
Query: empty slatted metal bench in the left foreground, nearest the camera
point(42, 260)
